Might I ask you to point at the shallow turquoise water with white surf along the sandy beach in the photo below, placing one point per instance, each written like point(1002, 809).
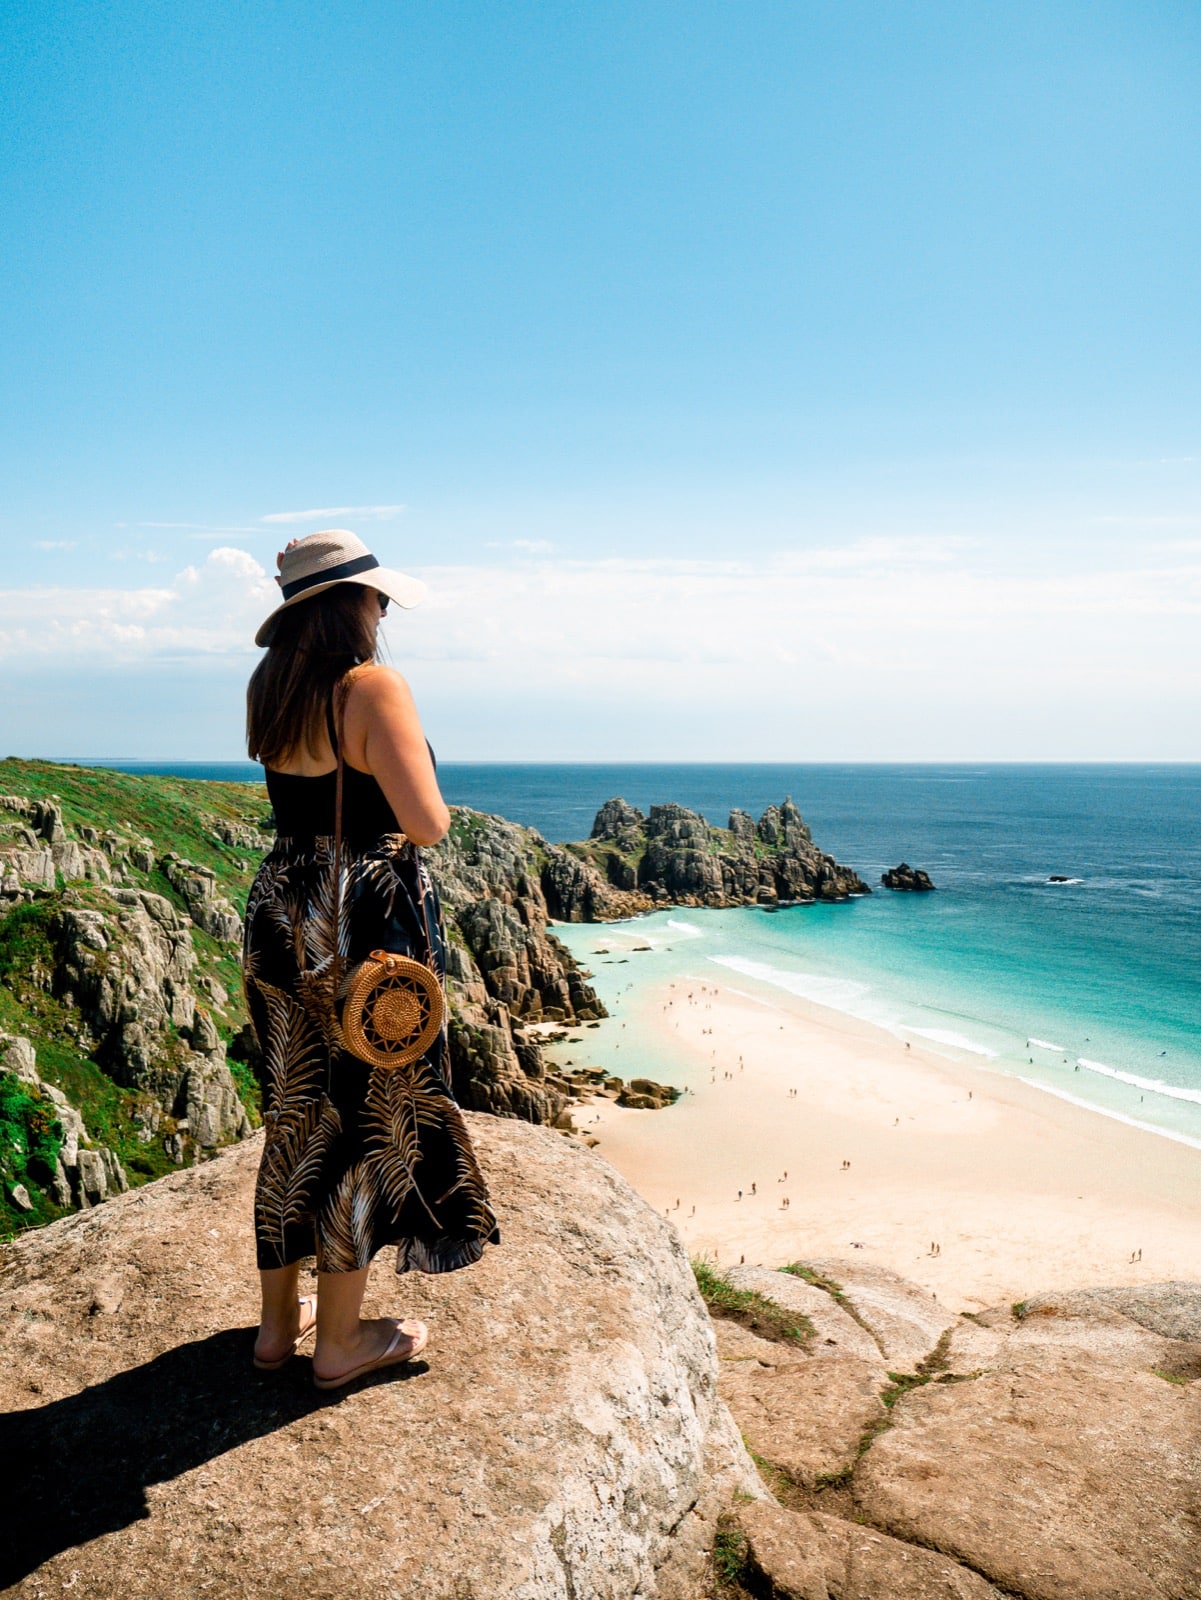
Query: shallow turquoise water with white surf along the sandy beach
point(976, 994)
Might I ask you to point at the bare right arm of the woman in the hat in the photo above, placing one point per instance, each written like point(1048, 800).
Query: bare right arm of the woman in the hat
point(385, 730)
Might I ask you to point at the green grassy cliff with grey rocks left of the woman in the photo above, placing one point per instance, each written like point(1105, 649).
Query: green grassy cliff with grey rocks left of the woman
point(119, 980)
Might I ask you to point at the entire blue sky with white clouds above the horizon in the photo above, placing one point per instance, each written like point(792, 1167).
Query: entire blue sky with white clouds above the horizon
point(748, 380)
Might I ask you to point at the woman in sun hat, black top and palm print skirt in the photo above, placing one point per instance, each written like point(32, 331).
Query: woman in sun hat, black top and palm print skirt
point(356, 1158)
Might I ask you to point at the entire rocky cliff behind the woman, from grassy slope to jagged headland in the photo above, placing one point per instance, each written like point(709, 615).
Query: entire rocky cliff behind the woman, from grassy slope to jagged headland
point(121, 999)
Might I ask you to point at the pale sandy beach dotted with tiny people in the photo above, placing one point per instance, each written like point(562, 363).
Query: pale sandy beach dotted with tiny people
point(1018, 1190)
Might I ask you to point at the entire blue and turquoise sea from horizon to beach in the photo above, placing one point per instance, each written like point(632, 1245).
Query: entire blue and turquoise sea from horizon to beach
point(1087, 988)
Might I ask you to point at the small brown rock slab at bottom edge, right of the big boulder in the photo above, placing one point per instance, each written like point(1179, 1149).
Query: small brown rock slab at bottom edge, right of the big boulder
point(807, 1556)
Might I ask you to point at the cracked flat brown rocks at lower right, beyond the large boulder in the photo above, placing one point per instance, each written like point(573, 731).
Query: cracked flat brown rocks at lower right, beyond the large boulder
point(1051, 1449)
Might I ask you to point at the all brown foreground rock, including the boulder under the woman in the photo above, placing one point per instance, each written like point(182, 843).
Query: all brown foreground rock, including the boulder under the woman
point(583, 1426)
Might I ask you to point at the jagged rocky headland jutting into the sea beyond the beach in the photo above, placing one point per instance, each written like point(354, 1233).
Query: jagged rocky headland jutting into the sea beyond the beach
point(674, 858)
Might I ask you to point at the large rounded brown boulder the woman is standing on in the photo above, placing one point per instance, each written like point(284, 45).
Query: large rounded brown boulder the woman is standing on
point(564, 1436)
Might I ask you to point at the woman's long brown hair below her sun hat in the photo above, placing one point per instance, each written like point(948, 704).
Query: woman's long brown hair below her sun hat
point(313, 646)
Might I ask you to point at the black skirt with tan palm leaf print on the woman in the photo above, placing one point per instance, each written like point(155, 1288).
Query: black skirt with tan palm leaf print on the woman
point(356, 1158)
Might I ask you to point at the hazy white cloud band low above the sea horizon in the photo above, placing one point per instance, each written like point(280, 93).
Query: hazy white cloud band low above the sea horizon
point(887, 649)
